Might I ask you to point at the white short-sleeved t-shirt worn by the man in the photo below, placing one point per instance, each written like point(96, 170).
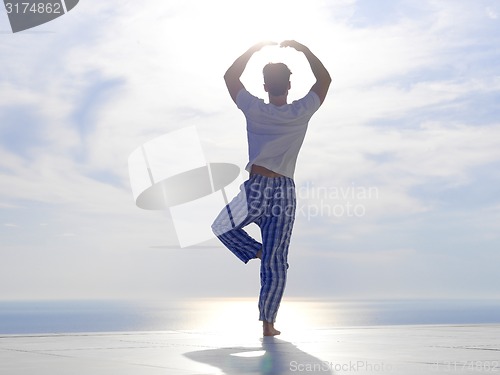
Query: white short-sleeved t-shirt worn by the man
point(275, 134)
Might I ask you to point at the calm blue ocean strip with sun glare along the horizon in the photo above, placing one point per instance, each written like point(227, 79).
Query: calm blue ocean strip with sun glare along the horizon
point(53, 317)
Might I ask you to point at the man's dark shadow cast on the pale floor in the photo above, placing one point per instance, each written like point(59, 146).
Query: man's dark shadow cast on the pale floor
point(274, 357)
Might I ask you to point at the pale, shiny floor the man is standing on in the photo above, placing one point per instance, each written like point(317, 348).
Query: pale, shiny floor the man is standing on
point(408, 350)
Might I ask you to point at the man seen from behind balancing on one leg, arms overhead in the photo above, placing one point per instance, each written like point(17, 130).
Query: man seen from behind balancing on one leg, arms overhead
point(275, 132)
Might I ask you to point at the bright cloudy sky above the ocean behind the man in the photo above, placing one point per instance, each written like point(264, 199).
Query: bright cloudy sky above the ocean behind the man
point(397, 179)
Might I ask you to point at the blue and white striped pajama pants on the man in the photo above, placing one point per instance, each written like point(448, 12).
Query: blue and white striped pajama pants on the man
point(270, 203)
